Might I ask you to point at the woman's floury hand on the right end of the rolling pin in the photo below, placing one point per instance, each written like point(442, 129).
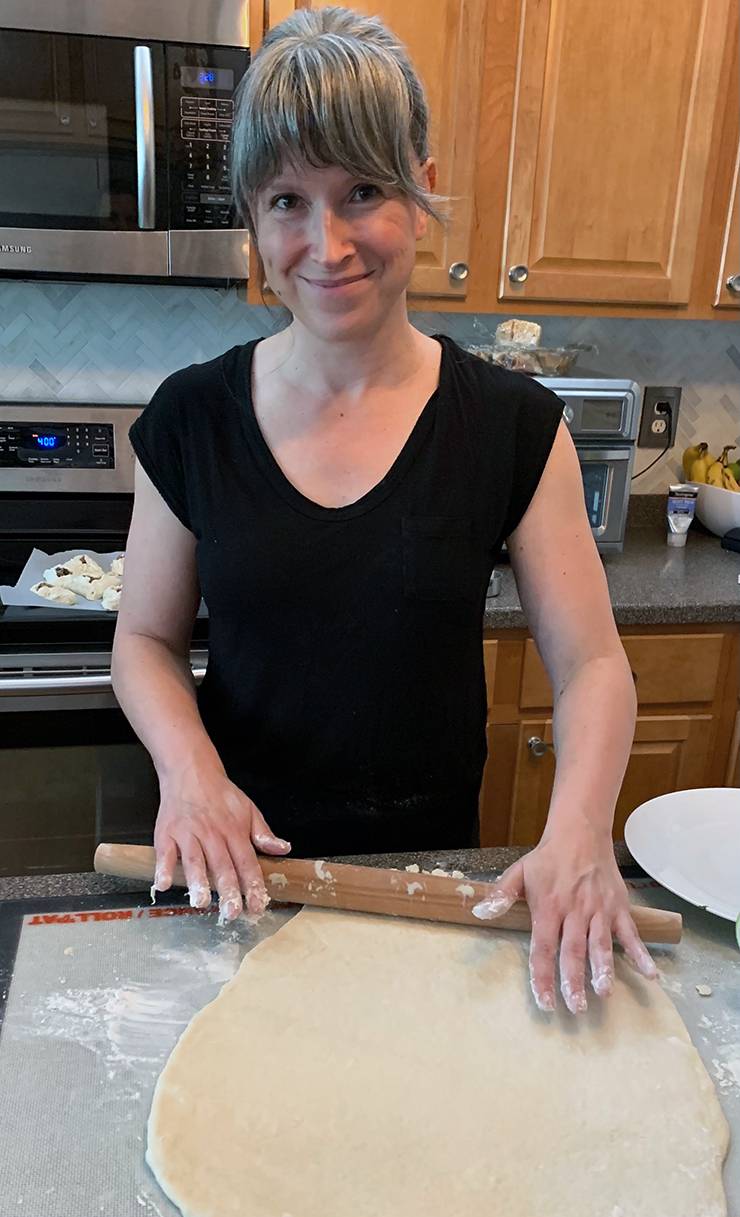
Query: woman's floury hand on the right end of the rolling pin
point(578, 898)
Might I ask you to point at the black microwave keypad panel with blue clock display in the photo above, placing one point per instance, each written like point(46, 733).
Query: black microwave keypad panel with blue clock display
point(200, 85)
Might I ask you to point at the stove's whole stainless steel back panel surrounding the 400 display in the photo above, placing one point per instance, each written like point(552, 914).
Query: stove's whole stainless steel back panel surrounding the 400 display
point(47, 447)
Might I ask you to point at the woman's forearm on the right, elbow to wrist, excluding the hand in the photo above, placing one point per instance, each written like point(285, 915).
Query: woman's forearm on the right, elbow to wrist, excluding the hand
point(593, 728)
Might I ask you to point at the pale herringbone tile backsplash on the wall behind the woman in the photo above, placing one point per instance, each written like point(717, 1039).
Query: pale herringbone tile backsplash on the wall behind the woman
point(116, 343)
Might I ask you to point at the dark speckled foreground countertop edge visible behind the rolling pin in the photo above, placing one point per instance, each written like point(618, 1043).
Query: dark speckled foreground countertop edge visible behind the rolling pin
point(473, 862)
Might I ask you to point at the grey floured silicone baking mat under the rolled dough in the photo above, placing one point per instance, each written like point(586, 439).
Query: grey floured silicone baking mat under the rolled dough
point(99, 999)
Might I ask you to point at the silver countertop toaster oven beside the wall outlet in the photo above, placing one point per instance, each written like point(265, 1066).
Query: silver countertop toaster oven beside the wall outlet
point(603, 417)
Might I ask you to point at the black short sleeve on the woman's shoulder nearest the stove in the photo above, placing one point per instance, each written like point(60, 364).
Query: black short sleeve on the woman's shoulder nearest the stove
point(158, 438)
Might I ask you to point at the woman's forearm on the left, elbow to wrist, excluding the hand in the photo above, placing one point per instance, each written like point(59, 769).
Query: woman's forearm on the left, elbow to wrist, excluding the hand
point(156, 691)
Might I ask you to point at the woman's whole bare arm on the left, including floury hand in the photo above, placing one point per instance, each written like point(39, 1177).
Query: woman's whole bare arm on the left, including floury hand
point(205, 818)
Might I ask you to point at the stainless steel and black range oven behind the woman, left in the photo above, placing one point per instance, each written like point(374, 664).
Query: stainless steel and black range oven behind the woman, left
point(72, 772)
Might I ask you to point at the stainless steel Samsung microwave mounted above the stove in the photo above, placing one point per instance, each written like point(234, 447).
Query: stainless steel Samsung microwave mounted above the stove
point(115, 127)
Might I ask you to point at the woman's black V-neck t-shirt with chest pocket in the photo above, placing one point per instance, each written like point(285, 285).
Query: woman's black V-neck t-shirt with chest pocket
point(345, 689)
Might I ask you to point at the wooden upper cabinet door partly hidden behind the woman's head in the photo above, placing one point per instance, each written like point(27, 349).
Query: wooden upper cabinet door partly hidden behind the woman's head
point(446, 42)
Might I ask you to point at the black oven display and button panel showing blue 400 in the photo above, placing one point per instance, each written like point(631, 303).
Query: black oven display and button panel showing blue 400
point(66, 445)
